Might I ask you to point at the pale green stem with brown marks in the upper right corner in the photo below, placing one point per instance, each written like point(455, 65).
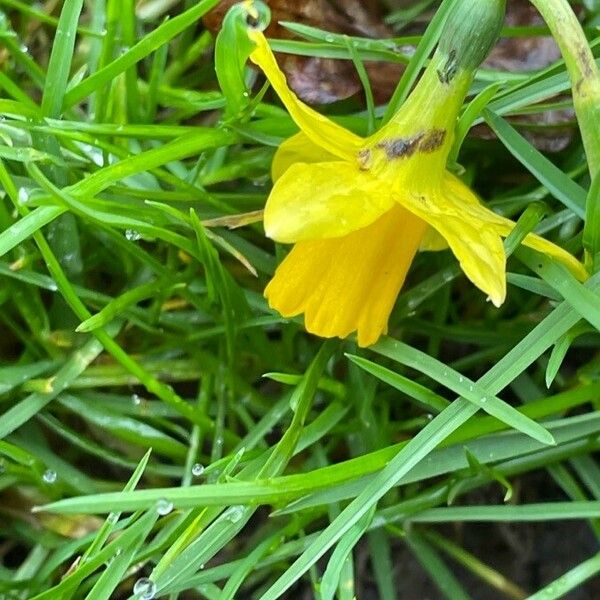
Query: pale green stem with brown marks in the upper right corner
point(583, 71)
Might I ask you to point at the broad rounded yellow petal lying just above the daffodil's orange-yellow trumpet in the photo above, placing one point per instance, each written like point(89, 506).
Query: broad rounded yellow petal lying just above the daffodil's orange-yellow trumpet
point(324, 200)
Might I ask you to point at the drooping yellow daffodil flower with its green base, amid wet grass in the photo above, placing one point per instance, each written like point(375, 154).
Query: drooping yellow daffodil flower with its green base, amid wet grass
point(358, 209)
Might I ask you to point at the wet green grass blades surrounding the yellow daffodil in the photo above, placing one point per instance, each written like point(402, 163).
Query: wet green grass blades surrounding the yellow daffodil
point(159, 421)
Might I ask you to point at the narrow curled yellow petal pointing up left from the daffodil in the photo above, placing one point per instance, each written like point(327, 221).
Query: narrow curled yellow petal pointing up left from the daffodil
point(321, 131)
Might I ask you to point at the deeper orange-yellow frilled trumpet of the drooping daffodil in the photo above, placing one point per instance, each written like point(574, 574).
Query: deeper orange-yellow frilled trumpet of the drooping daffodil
point(350, 283)
